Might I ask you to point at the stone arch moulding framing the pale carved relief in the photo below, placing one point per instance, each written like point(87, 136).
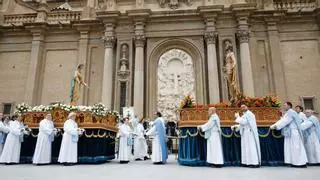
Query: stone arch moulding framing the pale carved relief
point(152, 64)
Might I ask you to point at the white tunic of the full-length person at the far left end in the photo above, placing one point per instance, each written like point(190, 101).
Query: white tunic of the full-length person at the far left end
point(12, 146)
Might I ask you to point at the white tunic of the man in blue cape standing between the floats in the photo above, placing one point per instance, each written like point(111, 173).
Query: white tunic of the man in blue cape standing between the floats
point(156, 147)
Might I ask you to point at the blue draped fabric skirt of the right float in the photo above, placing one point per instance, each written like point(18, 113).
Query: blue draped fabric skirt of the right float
point(192, 150)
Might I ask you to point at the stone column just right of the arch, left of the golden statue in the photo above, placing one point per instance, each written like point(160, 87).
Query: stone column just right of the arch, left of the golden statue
point(213, 77)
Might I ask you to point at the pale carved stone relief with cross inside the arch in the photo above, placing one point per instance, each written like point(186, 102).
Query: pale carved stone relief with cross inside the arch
point(175, 80)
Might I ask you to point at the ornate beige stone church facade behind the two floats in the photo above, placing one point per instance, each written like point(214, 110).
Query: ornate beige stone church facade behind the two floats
point(150, 53)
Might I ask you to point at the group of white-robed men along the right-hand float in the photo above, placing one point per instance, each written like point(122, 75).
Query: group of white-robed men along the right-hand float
point(301, 133)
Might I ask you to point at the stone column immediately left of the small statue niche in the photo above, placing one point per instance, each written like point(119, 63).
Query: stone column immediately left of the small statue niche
point(107, 83)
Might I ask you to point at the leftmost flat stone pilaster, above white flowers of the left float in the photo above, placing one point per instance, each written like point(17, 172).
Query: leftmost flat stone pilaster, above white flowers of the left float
point(32, 84)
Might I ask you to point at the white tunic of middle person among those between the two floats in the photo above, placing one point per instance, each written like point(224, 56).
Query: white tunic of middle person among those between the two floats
point(140, 144)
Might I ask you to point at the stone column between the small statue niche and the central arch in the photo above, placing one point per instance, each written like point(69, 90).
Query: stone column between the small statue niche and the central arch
point(139, 39)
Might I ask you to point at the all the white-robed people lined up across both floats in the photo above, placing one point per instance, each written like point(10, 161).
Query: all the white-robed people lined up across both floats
point(300, 129)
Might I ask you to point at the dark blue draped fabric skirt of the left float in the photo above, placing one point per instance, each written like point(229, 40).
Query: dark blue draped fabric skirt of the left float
point(90, 150)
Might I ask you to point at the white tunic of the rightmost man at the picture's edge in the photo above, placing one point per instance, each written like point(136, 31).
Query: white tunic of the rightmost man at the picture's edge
point(312, 141)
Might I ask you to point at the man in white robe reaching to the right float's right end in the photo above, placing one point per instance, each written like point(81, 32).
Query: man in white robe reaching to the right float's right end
point(290, 126)
